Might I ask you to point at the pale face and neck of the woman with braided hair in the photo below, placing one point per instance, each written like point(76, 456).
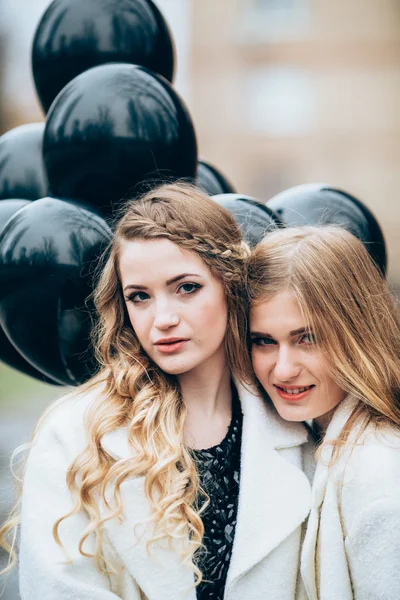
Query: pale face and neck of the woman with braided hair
point(179, 313)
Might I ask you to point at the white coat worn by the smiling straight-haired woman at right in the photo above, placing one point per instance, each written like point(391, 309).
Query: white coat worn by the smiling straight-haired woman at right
point(352, 545)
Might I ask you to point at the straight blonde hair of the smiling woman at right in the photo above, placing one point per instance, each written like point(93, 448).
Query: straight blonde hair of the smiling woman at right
point(348, 306)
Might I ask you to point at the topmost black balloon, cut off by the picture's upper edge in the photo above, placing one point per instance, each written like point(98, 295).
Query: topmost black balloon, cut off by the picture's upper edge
point(75, 35)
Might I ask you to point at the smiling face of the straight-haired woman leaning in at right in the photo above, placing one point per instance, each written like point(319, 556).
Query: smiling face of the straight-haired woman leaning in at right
point(289, 366)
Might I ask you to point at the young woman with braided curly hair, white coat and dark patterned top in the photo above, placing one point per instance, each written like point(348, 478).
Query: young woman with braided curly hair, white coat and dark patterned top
point(164, 478)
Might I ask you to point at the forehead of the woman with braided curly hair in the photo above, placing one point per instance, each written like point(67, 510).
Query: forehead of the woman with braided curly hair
point(158, 259)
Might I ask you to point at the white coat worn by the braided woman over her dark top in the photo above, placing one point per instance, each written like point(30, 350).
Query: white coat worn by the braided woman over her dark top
point(274, 501)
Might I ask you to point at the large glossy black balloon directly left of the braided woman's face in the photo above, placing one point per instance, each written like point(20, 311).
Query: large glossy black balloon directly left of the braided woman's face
point(47, 253)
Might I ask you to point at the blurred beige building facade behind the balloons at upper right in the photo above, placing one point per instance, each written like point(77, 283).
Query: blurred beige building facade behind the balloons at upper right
point(285, 92)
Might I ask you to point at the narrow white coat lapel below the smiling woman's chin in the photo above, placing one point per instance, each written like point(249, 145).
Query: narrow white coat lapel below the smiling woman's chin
point(309, 550)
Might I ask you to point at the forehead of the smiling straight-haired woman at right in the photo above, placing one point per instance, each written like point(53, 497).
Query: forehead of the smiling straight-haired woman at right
point(280, 313)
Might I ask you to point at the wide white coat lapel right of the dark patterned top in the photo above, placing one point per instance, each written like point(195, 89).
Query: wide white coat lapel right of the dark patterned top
point(275, 495)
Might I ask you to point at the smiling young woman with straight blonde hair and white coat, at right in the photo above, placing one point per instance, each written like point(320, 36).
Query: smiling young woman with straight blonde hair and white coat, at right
point(326, 348)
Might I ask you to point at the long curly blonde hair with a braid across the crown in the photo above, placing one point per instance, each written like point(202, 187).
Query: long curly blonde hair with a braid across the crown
point(137, 394)
